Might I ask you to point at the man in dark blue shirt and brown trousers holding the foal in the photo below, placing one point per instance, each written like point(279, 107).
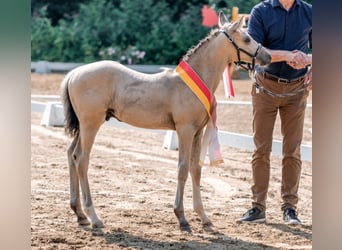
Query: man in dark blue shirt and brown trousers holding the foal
point(284, 27)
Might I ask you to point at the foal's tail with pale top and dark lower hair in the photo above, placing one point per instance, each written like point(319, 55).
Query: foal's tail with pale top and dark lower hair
point(71, 123)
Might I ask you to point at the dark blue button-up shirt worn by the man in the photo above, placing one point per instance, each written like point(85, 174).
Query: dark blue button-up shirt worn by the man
point(278, 29)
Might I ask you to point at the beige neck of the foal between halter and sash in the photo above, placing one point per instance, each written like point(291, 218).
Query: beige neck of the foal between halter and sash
point(210, 61)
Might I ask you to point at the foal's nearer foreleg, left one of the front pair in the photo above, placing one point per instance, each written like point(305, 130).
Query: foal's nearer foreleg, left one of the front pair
point(185, 142)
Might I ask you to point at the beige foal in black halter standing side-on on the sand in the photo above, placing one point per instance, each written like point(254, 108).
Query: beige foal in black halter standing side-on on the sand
point(95, 92)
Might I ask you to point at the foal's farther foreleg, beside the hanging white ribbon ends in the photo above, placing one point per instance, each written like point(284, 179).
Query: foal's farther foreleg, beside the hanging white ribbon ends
point(195, 170)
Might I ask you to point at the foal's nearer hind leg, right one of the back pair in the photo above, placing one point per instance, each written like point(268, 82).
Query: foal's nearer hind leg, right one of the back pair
point(87, 137)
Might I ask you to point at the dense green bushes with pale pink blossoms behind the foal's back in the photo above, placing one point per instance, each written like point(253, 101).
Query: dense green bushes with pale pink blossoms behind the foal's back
point(130, 32)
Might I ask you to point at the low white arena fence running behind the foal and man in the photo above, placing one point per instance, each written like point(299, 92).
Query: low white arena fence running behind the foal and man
point(52, 110)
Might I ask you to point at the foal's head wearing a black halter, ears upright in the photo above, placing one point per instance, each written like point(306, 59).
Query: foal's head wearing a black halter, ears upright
point(247, 49)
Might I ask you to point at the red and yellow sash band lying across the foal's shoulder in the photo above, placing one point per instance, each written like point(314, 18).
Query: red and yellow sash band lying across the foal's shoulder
point(195, 83)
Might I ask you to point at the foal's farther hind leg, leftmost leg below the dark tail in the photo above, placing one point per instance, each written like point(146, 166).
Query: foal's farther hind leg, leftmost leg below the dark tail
point(75, 203)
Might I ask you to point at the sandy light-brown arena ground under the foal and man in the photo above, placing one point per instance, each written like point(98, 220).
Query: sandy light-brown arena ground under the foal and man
point(133, 183)
